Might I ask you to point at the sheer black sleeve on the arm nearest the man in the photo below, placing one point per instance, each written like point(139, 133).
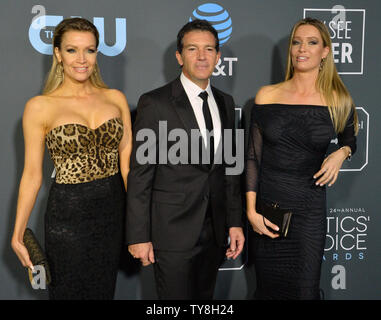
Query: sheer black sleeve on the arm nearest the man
point(254, 153)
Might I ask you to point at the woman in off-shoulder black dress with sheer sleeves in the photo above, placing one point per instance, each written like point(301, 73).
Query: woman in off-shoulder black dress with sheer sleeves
point(292, 125)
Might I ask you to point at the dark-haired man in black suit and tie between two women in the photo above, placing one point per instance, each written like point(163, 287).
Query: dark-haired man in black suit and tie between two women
point(180, 213)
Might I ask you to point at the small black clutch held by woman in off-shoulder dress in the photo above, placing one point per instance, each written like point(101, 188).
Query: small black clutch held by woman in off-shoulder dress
point(280, 217)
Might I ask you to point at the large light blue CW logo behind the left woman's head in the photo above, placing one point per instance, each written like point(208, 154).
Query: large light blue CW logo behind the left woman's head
point(40, 22)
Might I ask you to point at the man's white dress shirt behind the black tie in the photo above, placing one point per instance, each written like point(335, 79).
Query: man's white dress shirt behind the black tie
point(193, 90)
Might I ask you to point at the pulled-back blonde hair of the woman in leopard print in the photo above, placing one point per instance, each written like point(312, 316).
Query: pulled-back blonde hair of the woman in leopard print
point(55, 76)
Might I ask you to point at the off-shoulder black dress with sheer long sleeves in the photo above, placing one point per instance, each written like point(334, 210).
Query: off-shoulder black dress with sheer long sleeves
point(287, 145)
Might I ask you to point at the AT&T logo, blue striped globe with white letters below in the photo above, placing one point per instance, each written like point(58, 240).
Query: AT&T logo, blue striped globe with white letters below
point(220, 19)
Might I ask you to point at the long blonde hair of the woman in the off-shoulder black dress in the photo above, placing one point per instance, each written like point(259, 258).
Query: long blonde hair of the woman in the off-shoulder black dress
point(329, 84)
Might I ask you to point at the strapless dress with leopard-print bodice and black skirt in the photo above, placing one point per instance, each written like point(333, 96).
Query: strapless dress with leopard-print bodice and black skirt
point(84, 216)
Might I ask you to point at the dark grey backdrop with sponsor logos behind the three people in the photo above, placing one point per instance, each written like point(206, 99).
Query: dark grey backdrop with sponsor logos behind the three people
point(137, 53)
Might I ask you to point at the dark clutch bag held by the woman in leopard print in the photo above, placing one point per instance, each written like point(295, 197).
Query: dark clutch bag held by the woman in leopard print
point(36, 254)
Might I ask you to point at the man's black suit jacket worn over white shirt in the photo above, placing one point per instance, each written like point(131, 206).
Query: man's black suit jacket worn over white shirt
point(166, 203)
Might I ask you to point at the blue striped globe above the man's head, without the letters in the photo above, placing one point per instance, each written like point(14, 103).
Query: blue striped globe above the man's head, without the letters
point(218, 17)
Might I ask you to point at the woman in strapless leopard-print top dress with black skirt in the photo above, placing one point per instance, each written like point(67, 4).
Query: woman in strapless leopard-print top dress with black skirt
point(87, 130)
